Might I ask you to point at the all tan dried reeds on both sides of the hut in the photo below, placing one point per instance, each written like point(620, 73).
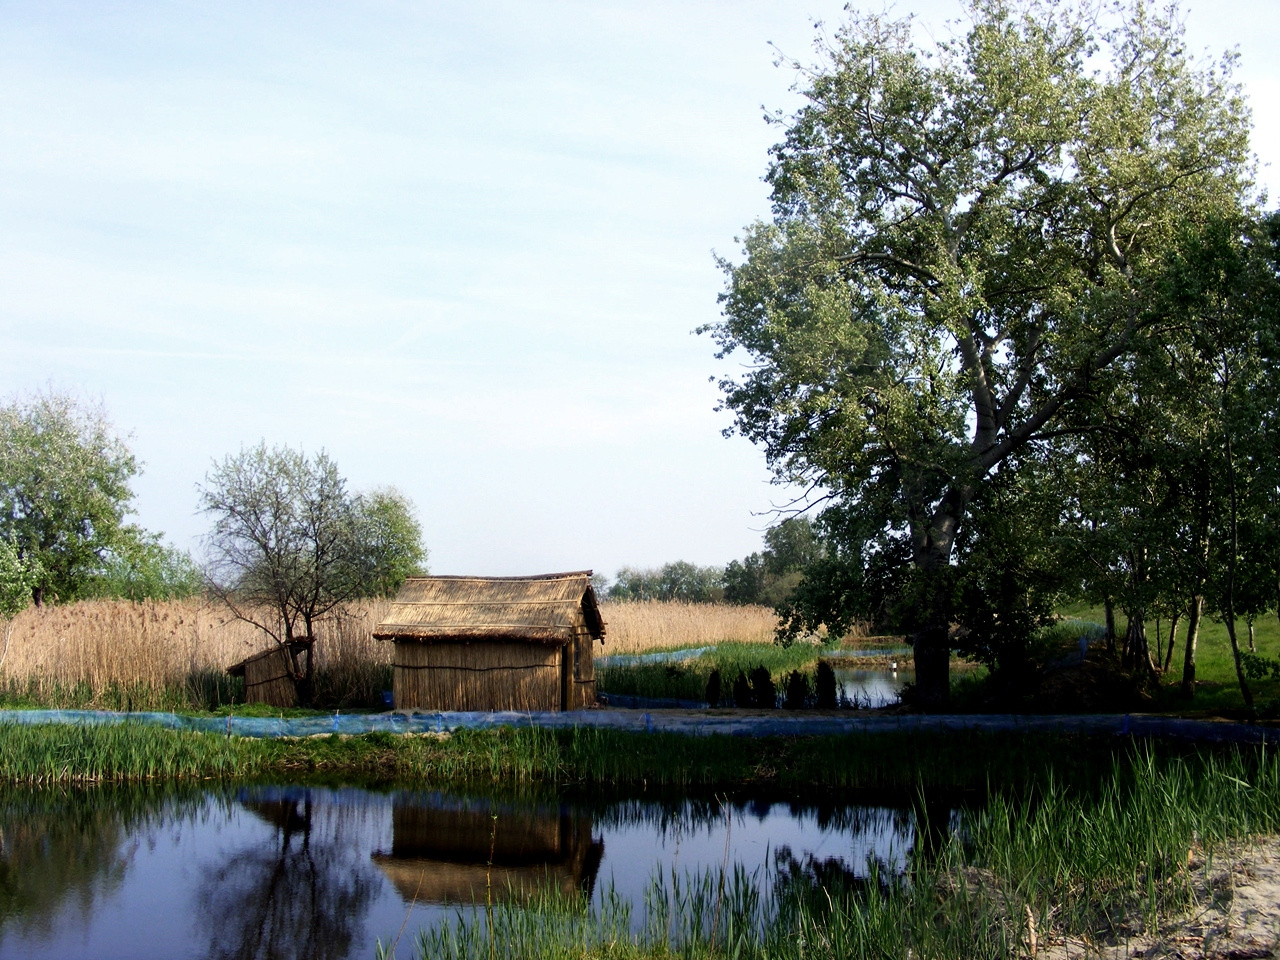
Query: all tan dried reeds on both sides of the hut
point(115, 655)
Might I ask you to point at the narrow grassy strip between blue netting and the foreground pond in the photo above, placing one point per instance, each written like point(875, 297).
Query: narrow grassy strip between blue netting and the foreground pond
point(588, 758)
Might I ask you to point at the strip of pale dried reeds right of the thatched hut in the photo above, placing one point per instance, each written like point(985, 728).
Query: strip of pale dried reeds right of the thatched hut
point(655, 625)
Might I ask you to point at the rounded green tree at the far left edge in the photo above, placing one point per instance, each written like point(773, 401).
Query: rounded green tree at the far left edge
point(65, 490)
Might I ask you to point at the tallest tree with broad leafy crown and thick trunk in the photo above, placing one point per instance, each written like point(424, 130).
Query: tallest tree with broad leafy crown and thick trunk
point(964, 239)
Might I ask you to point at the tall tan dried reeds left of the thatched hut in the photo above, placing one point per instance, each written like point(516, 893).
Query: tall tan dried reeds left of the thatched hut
point(175, 655)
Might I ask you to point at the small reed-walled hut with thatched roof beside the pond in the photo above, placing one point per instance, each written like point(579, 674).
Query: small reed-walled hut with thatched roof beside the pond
point(495, 643)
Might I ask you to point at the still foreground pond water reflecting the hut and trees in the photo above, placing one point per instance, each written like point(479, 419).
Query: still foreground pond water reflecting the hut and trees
point(313, 872)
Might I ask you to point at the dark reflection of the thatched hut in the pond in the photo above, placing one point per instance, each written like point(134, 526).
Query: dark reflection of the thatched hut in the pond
point(444, 854)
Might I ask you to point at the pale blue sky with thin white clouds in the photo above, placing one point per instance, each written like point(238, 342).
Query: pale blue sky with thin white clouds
point(460, 246)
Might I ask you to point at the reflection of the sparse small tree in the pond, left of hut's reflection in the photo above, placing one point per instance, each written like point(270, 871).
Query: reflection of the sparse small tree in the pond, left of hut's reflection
point(301, 895)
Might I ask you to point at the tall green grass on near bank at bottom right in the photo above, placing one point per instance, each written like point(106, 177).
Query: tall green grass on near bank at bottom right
point(1027, 872)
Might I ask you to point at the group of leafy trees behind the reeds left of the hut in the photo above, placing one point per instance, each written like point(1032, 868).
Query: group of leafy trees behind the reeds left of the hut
point(290, 541)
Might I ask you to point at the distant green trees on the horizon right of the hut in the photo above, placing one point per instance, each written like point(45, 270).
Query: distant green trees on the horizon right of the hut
point(765, 578)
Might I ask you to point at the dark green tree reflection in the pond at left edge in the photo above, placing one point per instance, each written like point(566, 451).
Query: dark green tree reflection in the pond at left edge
point(65, 849)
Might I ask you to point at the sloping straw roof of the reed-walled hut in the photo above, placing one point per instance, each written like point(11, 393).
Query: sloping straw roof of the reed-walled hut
point(546, 609)
